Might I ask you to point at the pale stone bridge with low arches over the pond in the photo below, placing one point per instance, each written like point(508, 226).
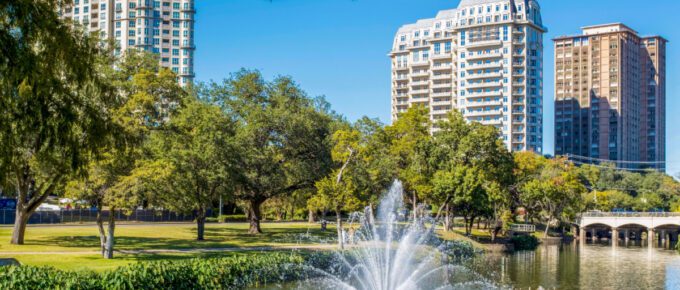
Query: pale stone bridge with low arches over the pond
point(661, 229)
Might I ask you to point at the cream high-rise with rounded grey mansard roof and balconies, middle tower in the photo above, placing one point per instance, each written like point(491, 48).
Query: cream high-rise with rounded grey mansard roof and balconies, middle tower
point(485, 59)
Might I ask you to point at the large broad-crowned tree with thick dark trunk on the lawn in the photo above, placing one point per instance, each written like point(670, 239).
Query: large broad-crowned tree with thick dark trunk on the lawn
point(282, 136)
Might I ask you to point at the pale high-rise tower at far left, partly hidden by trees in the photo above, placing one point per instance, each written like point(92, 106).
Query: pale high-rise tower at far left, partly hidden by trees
point(164, 27)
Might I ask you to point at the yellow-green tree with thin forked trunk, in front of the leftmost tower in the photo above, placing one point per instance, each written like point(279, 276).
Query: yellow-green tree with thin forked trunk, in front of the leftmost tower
point(146, 97)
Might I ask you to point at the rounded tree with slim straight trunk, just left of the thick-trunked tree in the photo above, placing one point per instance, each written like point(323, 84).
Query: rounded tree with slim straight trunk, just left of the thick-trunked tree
point(200, 153)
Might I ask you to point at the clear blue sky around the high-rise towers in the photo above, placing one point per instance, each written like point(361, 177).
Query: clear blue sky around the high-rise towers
point(338, 48)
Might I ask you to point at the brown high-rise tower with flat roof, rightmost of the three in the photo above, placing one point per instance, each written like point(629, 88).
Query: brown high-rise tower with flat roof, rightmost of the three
point(610, 97)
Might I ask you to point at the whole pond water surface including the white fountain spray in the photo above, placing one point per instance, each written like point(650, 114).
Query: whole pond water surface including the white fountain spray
point(384, 254)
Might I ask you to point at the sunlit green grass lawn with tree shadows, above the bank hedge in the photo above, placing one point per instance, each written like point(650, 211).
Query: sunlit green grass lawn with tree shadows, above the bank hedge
point(75, 247)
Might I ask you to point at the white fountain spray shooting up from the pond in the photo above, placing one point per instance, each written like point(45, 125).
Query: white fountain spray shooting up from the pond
point(385, 254)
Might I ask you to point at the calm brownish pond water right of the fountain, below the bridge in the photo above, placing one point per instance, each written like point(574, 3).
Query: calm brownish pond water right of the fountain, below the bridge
point(591, 266)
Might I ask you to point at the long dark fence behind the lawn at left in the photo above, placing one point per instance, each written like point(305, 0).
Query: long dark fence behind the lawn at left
point(88, 215)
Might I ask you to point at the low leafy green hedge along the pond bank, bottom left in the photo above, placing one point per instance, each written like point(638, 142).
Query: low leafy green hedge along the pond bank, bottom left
point(220, 273)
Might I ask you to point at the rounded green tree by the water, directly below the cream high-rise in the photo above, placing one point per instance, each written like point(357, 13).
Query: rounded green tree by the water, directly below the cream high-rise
point(465, 150)
